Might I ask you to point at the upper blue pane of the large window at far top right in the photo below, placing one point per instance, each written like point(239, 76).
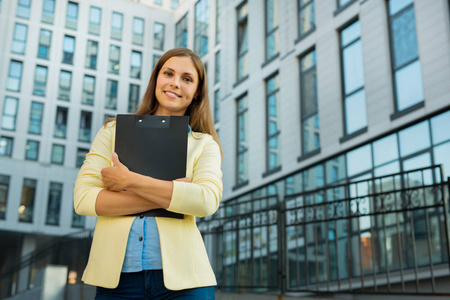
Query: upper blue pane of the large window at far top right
point(404, 38)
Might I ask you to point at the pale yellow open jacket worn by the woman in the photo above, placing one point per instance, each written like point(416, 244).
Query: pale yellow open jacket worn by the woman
point(184, 258)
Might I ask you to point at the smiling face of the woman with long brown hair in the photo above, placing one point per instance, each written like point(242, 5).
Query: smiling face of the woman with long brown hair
point(176, 85)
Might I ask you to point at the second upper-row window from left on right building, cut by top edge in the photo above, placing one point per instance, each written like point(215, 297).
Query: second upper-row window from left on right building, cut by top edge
point(271, 29)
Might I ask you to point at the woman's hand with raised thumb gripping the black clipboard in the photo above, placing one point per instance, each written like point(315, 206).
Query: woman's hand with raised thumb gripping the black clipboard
point(116, 178)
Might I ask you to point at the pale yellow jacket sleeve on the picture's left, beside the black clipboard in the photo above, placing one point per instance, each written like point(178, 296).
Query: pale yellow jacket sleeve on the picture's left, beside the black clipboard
point(89, 180)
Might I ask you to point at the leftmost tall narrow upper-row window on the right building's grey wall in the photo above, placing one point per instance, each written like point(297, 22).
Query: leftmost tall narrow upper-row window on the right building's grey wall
point(242, 63)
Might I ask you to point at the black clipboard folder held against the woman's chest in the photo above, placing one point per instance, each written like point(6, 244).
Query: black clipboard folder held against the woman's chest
point(154, 146)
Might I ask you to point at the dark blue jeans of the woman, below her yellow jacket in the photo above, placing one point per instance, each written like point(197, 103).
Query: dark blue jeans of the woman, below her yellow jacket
point(150, 285)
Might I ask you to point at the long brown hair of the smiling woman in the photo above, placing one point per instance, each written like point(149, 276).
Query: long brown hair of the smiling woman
point(199, 111)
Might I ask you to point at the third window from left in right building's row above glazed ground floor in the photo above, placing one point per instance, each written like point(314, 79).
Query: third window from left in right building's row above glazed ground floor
point(309, 113)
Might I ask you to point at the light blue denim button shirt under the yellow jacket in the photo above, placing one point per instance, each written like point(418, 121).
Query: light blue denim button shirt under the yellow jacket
point(143, 247)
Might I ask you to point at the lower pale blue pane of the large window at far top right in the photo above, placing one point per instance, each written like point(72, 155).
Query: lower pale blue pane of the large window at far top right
point(409, 86)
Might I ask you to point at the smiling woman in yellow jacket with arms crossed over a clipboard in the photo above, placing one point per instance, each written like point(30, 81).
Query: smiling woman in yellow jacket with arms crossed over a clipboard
point(154, 257)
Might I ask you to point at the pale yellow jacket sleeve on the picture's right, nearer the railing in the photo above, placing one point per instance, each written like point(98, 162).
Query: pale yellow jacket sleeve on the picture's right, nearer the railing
point(202, 196)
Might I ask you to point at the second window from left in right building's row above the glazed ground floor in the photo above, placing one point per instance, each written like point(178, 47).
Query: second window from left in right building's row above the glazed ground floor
point(272, 124)
